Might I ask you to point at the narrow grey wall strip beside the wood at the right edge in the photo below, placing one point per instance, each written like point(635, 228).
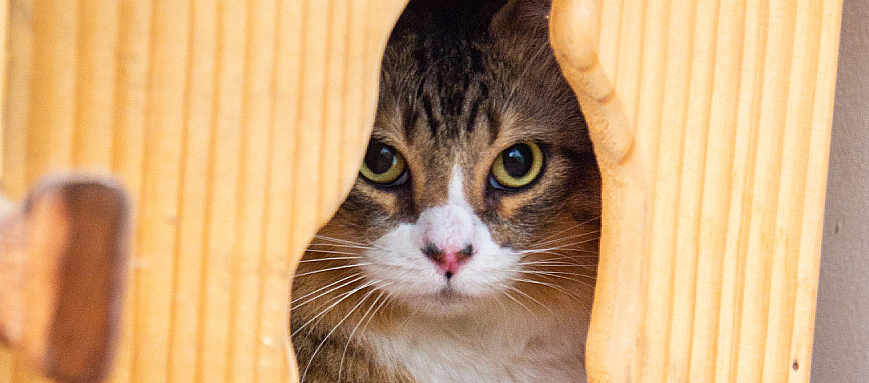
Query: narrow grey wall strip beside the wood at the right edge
point(841, 350)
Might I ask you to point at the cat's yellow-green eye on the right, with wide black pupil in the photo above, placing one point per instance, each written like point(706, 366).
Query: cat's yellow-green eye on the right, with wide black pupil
point(517, 166)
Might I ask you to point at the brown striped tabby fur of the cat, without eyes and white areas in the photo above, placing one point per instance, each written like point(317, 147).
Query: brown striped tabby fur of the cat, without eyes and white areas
point(460, 82)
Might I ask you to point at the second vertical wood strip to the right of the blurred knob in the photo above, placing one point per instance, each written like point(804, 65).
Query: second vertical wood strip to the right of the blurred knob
point(197, 141)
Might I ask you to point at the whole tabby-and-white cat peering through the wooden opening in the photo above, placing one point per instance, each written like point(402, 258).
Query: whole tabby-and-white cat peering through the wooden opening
point(466, 250)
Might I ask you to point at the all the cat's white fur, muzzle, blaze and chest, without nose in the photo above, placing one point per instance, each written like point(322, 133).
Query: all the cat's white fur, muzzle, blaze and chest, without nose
point(466, 329)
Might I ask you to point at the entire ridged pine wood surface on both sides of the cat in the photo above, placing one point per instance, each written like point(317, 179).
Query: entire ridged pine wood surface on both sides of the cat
point(237, 125)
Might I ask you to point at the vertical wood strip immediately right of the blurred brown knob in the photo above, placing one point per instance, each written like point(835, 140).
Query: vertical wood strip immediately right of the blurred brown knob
point(159, 198)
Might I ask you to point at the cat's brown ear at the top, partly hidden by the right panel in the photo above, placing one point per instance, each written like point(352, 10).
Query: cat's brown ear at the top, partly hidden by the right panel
point(521, 18)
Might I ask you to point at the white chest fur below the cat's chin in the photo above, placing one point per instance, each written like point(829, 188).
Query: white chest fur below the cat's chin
point(493, 347)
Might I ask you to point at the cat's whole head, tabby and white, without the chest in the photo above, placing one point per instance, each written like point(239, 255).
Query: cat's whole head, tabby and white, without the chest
point(479, 184)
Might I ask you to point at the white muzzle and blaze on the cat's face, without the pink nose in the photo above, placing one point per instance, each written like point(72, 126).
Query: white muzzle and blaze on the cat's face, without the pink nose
point(400, 267)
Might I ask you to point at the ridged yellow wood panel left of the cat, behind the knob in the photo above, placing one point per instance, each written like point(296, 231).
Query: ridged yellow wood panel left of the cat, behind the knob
point(236, 125)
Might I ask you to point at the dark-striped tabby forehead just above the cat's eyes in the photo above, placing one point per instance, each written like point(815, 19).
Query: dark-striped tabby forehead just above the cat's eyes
point(456, 90)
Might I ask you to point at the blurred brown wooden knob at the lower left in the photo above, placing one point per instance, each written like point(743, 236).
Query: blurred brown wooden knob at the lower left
point(63, 253)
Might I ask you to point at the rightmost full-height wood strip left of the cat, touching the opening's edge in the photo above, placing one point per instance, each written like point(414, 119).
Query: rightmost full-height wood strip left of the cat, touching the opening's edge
point(273, 350)
